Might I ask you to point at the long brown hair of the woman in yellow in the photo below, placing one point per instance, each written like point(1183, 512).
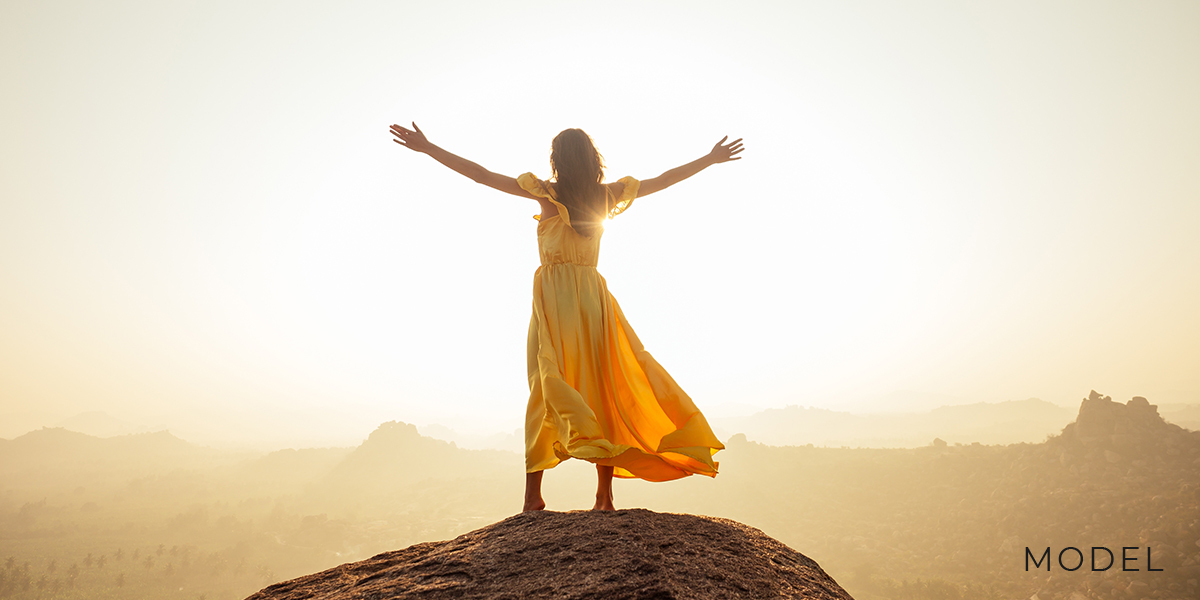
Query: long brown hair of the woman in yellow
point(579, 179)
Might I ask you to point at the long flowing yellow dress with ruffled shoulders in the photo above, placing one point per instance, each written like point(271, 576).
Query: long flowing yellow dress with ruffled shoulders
point(595, 392)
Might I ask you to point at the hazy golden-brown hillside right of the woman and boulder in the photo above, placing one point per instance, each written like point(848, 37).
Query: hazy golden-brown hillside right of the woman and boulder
point(1118, 477)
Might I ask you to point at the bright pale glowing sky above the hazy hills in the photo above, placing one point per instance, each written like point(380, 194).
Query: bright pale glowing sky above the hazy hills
point(206, 226)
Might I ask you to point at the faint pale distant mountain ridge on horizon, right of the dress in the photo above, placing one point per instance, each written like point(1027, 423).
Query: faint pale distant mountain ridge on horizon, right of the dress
point(1004, 423)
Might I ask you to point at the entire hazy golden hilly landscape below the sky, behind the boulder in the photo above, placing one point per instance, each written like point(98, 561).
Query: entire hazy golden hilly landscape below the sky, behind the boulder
point(946, 521)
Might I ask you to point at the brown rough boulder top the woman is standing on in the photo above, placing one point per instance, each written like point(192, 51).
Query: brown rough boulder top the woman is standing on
point(583, 555)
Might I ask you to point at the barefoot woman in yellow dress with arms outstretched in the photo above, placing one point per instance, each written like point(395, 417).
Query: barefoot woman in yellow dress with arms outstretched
point(595, 393)
